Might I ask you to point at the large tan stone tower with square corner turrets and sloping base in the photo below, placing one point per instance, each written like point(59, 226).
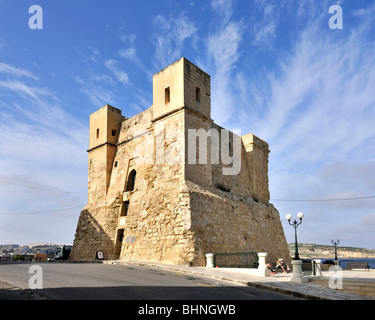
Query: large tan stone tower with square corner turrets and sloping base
point(170, 185)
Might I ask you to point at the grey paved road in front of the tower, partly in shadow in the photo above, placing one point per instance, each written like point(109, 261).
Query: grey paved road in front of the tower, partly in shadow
point(83, 281)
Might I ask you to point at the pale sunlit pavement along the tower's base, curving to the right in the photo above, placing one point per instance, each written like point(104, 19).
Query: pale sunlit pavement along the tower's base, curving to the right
point(279, 282)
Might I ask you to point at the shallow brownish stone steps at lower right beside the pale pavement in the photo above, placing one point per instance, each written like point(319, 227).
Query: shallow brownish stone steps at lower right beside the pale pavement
point(357, 286)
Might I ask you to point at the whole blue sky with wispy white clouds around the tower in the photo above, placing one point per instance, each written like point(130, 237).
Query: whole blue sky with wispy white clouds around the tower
point(277, 70)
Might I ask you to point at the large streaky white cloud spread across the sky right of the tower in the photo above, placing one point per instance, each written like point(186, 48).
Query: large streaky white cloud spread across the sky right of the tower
point(318, 118)
